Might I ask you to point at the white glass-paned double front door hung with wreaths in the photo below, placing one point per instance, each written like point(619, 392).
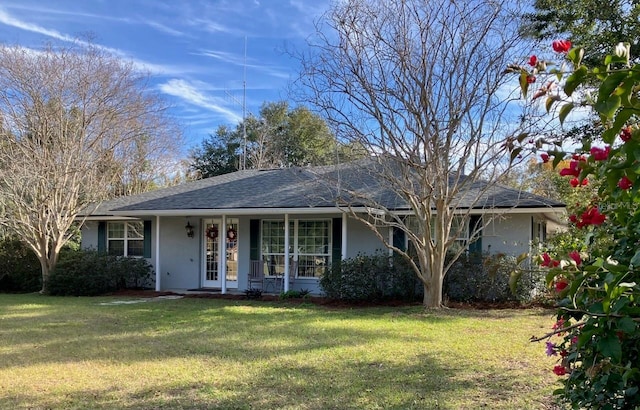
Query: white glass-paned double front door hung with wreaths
point(214, 260)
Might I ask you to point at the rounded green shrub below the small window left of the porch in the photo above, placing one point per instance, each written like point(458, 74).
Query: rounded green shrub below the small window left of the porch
point(89, 273)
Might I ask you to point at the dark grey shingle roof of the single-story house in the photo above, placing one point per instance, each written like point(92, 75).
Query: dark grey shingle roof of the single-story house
point(295, 188)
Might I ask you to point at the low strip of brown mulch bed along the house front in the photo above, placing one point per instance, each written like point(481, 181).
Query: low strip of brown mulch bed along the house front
point(327, 302)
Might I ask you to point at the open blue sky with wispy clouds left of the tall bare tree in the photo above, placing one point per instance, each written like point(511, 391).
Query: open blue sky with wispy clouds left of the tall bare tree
point(194, 50)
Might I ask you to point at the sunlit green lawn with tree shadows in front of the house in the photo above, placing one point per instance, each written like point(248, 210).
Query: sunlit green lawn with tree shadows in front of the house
point(203, 353)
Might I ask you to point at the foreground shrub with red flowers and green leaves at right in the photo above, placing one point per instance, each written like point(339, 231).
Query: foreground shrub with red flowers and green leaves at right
point(597, 336)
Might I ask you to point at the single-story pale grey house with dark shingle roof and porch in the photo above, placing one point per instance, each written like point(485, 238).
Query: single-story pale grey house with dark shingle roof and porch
point(211, 233)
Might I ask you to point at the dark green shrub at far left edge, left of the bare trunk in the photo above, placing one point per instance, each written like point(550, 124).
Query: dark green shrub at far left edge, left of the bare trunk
point(20, 269)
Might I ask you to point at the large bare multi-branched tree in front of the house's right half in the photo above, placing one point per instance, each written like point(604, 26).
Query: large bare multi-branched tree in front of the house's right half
point(420, 83)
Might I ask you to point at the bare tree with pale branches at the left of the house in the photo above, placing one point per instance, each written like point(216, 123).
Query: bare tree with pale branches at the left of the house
point(69, 120)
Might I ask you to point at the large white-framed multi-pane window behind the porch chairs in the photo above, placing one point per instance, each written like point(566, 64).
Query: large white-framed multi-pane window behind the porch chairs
point(309, 244)
